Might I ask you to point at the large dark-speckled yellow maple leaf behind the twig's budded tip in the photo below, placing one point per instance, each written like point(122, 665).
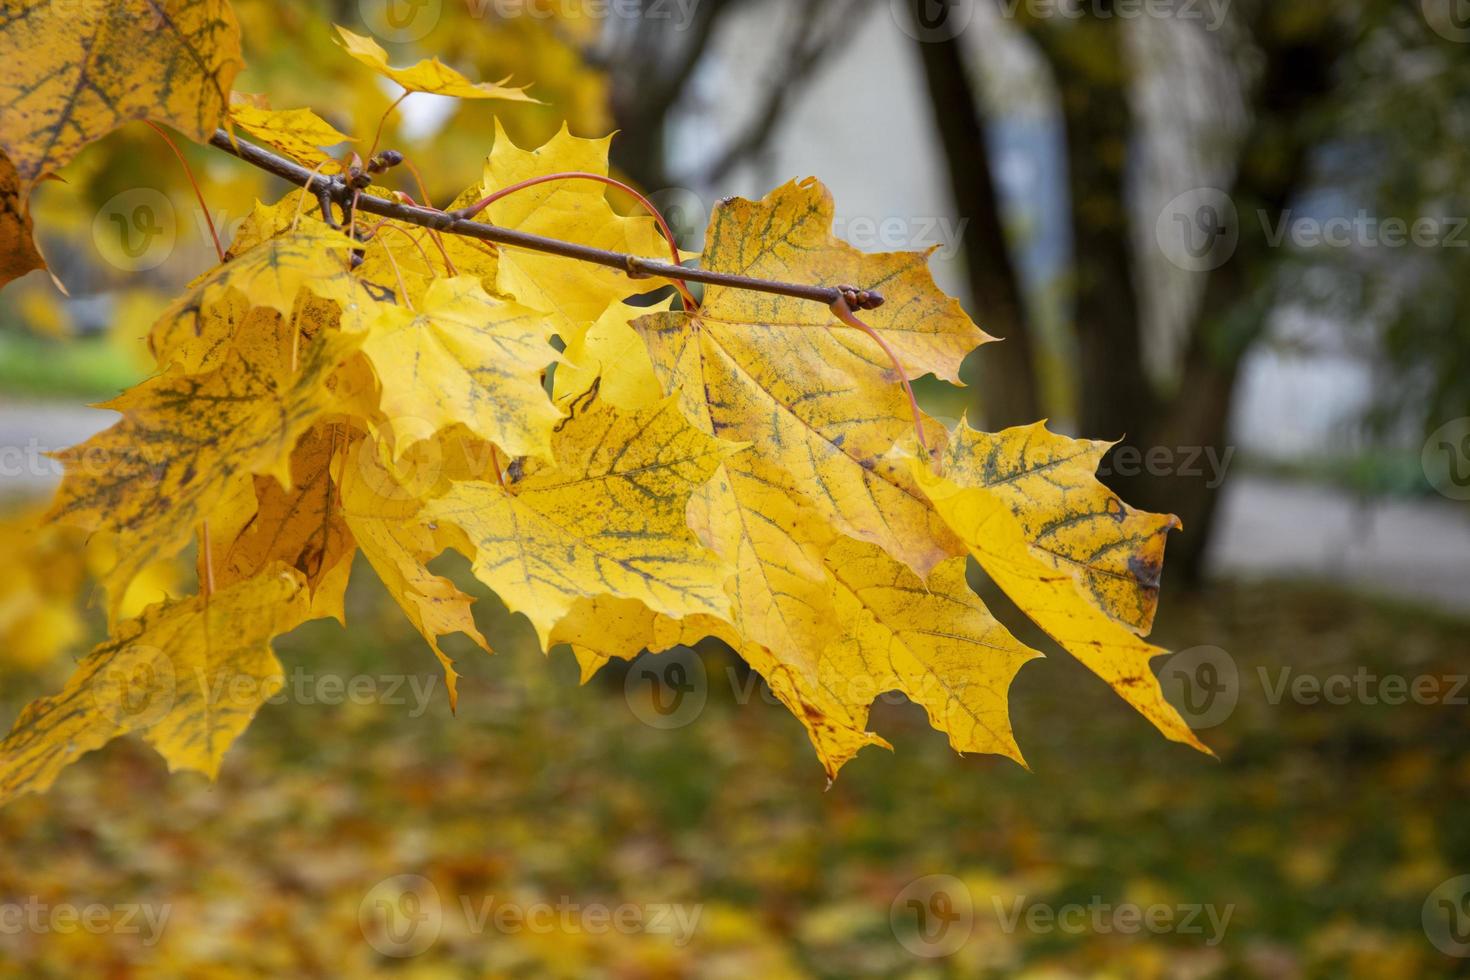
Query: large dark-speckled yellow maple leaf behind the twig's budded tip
point(817, 400)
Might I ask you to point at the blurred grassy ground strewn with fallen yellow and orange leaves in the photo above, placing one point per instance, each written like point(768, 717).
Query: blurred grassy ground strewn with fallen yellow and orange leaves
point(1322, 831)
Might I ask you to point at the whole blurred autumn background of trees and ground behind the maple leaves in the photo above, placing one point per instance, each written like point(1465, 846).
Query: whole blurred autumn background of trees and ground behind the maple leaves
point(1058, 143)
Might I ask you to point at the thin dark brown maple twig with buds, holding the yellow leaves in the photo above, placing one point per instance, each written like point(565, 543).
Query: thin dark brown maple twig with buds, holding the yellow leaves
point(342, 193)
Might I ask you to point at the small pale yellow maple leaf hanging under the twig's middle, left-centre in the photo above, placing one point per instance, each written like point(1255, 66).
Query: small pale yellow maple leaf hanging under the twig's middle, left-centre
point(465, 358)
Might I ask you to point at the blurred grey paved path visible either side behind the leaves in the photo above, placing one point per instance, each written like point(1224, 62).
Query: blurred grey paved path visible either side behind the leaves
point(1409, 549)
